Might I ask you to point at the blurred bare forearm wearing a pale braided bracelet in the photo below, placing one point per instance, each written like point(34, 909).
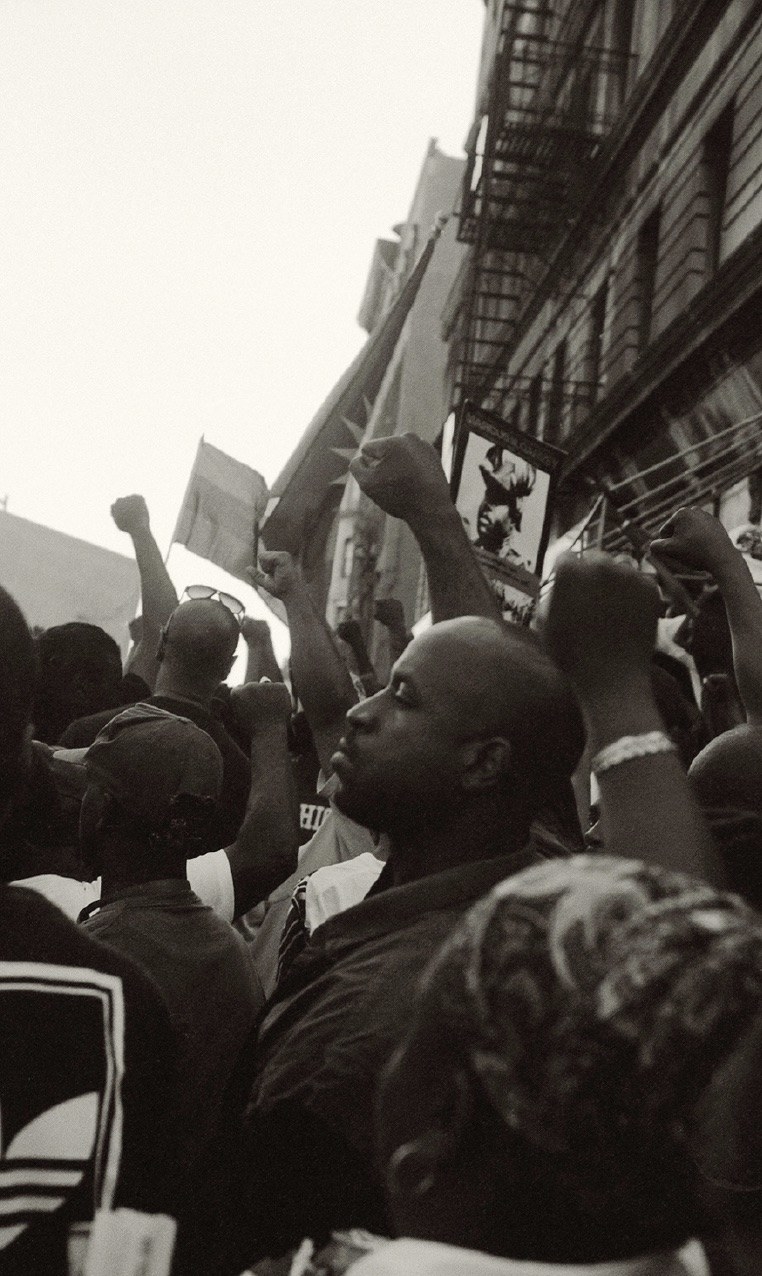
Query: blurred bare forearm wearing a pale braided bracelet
point(648, 810)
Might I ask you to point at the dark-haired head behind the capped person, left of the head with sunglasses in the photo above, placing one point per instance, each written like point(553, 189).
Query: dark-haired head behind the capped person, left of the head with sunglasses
point(80, 674)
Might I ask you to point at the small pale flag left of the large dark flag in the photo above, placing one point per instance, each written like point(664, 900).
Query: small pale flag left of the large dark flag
point(221, 511)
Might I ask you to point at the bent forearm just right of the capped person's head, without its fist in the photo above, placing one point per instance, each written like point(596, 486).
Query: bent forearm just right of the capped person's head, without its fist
point(266, 850)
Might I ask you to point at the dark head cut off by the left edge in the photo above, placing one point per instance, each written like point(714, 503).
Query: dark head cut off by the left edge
point(17, 691)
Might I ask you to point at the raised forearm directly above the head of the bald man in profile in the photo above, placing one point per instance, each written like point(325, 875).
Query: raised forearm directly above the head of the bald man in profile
point(458, 586)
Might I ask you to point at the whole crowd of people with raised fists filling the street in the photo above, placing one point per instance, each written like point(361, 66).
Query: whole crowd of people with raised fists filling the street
point(355, 978)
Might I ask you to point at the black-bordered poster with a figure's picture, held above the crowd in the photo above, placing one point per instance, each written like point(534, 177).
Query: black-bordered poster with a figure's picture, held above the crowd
point(502, 486)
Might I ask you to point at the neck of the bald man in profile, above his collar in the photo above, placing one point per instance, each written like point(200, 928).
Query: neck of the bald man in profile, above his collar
point(470, 836)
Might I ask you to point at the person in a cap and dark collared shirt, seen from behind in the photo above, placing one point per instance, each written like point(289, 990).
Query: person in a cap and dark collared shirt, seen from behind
point(153, 784)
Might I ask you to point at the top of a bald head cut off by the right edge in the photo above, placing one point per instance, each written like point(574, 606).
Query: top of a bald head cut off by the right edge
point(728, 773)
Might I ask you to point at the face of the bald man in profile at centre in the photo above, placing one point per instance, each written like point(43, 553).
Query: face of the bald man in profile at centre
point(400, 760)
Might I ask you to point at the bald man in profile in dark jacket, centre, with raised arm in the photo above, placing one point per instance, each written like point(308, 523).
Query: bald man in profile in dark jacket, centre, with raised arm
point(454, 761)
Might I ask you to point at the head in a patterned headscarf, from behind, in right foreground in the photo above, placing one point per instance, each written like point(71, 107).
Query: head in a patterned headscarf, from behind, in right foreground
point(581, 1014)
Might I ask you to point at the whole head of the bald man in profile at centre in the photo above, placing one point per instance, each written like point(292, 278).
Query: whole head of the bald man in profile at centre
point(474, 708)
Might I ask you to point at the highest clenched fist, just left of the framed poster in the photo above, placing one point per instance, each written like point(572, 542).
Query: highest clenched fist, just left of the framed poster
point(403, 475)
